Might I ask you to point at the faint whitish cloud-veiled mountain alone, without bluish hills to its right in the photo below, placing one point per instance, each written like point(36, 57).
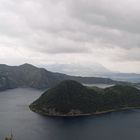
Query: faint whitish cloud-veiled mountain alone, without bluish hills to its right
point(79, 69)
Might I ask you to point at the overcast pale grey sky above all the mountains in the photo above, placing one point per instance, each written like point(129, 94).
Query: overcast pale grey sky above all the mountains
point(80, 33)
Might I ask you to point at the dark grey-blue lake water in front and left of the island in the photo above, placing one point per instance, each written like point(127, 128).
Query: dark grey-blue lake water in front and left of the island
point(27, 125)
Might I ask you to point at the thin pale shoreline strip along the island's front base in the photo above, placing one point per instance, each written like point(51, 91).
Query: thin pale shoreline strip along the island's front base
point(82, 115)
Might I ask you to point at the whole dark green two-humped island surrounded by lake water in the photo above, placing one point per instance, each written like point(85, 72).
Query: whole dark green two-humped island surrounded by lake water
point(70, 98)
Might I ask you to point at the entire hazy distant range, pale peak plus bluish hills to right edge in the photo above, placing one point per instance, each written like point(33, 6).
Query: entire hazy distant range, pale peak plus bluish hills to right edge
point(95, 69)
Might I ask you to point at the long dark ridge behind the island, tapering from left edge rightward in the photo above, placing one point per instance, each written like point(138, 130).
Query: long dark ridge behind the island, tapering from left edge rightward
point(27, 75)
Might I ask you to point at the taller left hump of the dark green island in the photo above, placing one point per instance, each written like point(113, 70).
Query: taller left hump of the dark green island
point(69, 97)
